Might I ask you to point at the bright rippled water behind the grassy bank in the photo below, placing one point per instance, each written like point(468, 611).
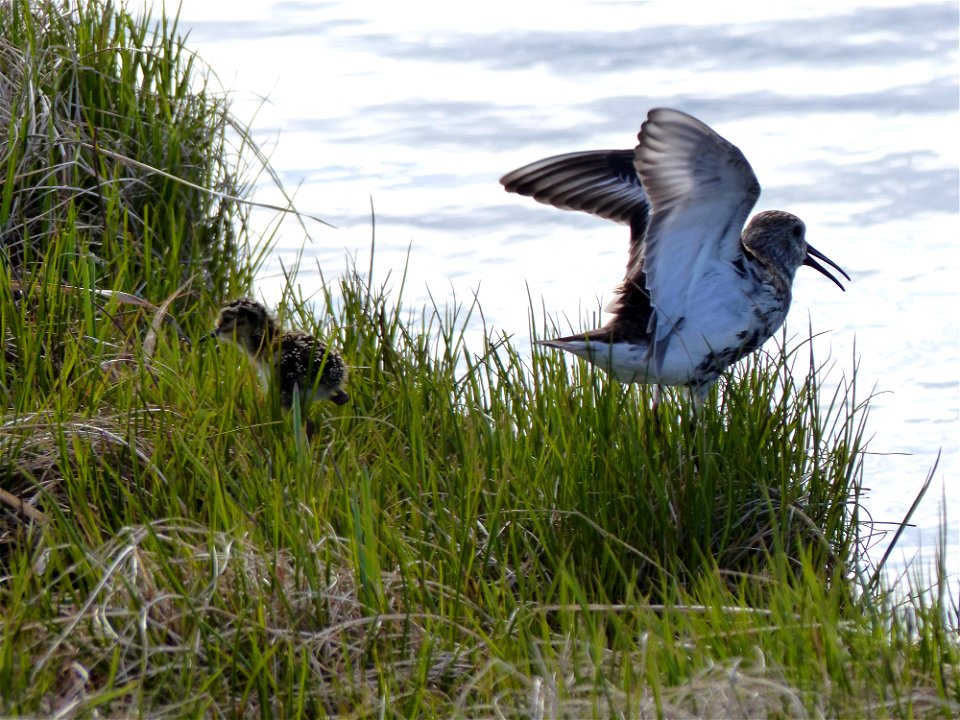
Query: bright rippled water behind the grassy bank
point(849, 118)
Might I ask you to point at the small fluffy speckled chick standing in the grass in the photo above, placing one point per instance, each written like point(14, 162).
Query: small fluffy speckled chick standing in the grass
point(299, 363)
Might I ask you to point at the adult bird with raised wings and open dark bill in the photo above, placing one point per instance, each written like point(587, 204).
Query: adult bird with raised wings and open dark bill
point(701, 291)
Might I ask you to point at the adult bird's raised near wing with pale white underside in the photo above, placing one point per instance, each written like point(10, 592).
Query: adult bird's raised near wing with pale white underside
point(701, 190)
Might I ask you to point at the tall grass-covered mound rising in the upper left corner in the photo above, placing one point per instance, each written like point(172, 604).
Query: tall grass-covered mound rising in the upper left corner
point(112, 136)
